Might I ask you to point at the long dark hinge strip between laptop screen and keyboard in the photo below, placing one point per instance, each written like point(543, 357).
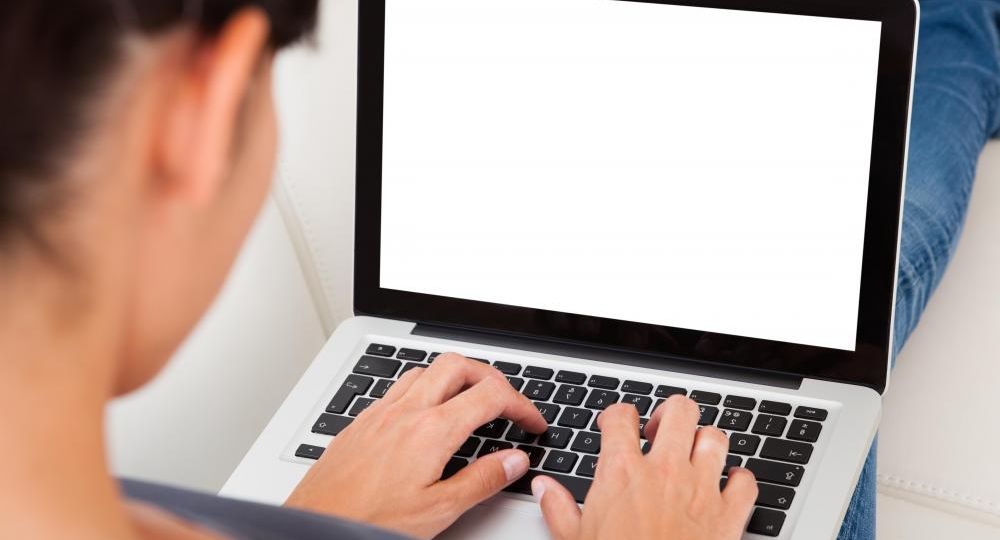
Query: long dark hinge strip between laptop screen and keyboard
point(614, 356)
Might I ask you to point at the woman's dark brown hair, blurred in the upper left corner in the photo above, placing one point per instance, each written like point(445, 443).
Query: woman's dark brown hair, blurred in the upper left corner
point(56, 56)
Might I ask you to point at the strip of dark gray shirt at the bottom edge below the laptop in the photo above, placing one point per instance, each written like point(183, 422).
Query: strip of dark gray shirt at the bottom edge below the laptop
point(244, 520)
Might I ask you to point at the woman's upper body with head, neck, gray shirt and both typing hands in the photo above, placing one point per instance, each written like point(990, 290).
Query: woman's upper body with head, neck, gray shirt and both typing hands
point(137, 142)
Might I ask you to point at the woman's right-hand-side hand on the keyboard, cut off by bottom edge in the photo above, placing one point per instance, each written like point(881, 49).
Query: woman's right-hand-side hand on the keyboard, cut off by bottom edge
point(671, 493)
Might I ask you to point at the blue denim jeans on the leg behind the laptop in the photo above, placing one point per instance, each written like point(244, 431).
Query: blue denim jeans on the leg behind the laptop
point(955, 112)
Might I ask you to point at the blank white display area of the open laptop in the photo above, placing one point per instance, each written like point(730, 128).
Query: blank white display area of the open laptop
point(688, 167)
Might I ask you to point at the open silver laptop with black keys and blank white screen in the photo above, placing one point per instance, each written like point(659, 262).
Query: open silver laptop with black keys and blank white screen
point(619, 201)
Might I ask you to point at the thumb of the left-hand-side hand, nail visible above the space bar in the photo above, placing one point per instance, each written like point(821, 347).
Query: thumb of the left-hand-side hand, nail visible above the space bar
point(484, 478)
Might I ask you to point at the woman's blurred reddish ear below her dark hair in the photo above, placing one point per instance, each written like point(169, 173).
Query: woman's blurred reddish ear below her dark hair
point(202, 115)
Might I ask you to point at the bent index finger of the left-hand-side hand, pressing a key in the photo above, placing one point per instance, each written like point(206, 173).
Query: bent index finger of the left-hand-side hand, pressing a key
point(488, 399)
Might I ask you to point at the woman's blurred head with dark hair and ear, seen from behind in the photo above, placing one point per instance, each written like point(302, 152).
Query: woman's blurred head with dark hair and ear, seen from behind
point(137, 141)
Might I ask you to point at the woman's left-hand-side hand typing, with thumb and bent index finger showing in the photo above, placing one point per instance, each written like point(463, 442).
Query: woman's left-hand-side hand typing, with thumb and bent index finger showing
point(385, 468)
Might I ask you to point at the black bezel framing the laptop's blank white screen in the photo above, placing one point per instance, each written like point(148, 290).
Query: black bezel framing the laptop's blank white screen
point(867, 365)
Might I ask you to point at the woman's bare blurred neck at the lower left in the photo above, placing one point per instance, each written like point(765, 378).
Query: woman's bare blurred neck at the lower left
point(57, 365)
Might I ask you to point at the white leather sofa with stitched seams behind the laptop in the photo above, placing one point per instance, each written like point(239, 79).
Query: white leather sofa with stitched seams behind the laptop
point(938, 476)
